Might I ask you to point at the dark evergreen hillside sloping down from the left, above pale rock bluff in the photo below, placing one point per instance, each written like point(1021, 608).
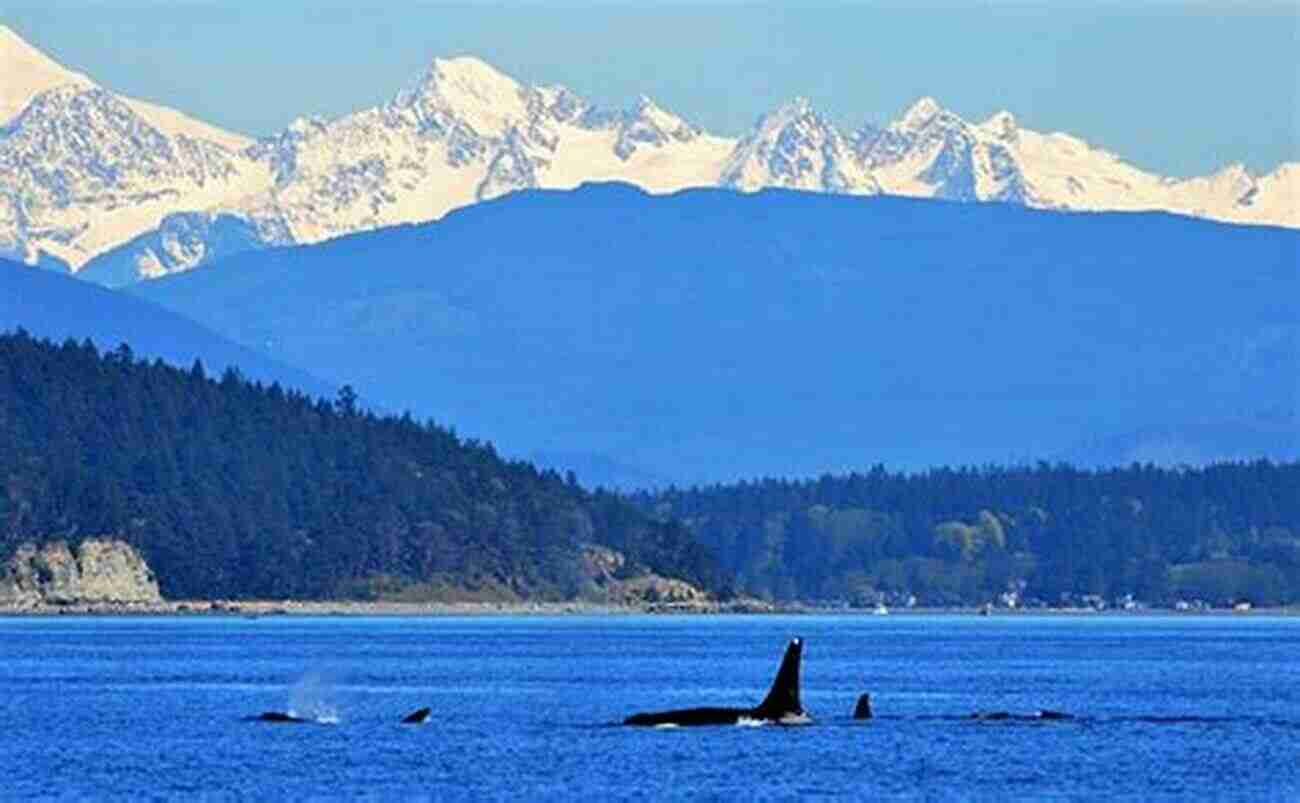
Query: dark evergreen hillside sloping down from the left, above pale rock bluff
point(233, 489)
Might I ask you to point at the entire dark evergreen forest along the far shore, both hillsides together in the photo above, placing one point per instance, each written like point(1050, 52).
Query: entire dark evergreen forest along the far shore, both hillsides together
point(235, 489)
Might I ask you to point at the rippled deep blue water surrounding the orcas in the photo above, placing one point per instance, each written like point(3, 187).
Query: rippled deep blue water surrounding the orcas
point(527, 709)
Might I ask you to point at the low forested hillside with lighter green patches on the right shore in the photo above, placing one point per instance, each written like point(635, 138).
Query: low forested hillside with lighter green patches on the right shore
point(1051, 535)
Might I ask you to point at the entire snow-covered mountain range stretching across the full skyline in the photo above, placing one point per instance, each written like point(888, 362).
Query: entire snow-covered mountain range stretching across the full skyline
point(86, 173)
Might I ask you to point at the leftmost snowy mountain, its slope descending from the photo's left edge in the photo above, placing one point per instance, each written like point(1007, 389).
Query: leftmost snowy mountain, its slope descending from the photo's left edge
point(85, 170)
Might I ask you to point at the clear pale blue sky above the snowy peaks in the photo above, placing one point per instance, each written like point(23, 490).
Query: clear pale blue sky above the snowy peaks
point(1176, 88)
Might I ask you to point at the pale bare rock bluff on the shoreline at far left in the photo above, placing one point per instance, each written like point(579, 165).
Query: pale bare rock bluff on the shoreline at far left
point(93, 572)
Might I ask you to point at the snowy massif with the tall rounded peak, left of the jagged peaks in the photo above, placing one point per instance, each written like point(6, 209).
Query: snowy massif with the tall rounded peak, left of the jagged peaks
point(465, 133)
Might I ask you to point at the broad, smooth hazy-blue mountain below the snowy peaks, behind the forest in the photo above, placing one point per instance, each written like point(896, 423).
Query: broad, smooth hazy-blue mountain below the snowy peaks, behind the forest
point(710, 335)
